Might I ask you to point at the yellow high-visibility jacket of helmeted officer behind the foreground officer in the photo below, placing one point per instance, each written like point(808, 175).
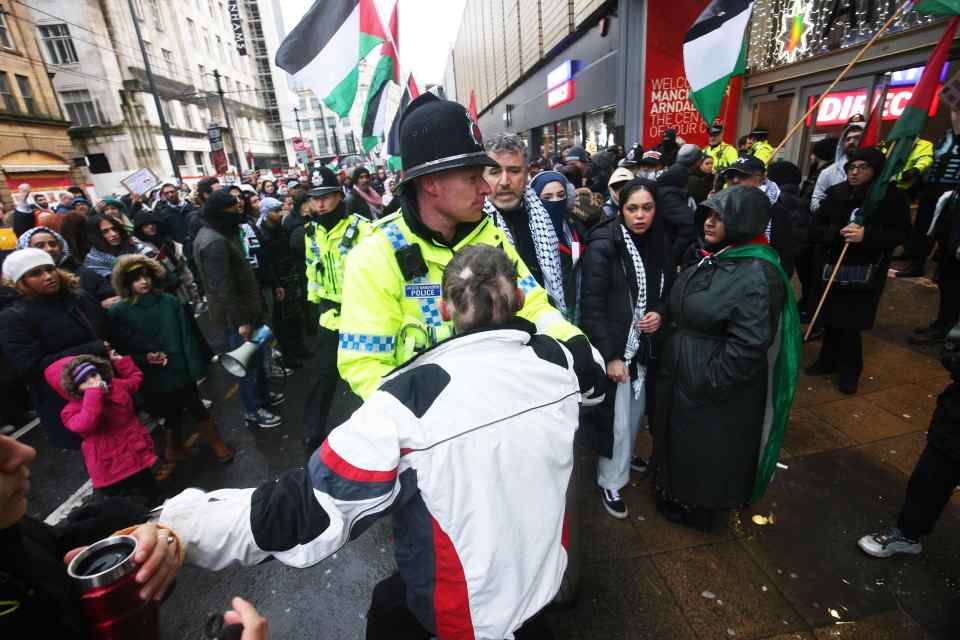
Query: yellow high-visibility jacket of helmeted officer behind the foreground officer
point(325, 253)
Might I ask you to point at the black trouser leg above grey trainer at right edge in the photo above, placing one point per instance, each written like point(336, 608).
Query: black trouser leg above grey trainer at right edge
point(931, 484)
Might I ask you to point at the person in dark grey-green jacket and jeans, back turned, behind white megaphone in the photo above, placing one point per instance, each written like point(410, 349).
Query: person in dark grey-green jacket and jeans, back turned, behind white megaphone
point(234, 299)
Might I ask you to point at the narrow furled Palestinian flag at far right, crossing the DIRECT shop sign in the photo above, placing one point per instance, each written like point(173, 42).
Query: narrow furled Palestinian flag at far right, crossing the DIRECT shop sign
point(909, 125)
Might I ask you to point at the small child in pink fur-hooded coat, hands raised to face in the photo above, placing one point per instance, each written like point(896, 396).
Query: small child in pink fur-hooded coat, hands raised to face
point(117, 449)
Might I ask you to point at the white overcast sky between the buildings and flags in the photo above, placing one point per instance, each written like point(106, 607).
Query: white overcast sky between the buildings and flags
point(427, 31)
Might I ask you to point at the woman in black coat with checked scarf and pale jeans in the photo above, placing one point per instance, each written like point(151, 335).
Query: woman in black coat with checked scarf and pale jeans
point(626, 274)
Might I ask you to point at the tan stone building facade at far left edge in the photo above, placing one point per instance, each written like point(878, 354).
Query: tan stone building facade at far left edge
point(35, 147)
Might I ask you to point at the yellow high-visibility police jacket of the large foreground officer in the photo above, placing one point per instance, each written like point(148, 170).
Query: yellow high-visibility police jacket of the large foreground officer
point(387, 319)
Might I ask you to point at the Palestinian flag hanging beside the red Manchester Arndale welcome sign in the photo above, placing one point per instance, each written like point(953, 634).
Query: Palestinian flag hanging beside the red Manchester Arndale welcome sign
point(715, 50)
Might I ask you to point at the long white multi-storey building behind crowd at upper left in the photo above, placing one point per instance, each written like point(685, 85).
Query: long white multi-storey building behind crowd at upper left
point(92, 49)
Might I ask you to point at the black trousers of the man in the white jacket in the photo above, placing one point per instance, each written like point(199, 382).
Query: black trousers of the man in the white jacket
point(389, 618)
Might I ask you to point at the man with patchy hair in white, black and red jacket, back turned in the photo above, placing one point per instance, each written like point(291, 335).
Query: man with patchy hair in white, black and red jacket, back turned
point(450, 445)
